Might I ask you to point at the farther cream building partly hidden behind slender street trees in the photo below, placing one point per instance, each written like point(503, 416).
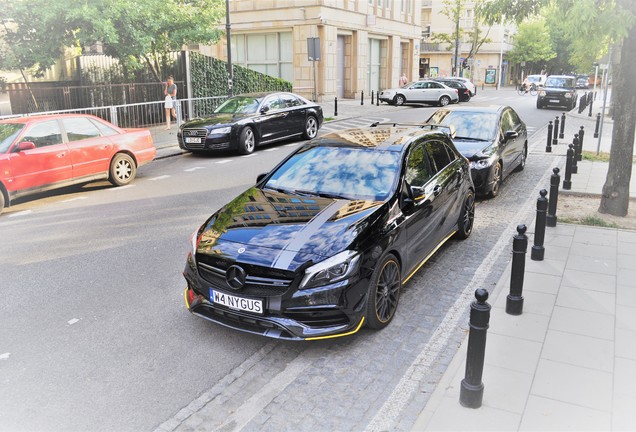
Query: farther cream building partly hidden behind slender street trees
point(489, 65)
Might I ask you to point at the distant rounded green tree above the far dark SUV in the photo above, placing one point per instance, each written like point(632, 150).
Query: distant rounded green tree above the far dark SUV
point(531, 45)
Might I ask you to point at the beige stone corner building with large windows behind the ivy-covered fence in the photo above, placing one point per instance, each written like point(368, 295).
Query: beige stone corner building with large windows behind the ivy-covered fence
point(365, 45)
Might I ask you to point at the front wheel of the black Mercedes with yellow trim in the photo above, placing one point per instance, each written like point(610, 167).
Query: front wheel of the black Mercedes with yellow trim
point(384, 292)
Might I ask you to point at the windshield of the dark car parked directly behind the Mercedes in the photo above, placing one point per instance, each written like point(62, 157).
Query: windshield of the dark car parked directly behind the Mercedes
point(475, 125)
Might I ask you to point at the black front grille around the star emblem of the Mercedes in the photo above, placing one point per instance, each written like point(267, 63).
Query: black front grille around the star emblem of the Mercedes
point(260, 281)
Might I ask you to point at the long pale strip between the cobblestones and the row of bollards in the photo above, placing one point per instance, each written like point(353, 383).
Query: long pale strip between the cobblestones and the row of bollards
point(388, 415)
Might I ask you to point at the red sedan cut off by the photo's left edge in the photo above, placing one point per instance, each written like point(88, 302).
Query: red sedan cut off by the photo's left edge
point(46, 152)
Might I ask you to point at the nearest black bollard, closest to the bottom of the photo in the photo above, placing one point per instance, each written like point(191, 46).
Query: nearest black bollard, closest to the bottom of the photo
point(471, 392)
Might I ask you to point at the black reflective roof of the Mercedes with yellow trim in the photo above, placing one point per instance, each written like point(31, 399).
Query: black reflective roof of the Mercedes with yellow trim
point(382, 137)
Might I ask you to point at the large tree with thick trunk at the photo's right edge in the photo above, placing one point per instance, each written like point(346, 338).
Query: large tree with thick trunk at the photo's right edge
point(611, 21)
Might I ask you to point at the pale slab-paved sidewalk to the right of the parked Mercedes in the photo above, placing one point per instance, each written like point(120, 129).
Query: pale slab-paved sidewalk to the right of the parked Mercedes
point(569, 361)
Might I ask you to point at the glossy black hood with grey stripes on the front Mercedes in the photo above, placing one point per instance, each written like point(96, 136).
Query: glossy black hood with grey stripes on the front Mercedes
point(284, 231)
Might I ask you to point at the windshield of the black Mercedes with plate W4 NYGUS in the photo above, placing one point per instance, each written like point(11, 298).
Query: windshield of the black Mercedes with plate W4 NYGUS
point(352, 173)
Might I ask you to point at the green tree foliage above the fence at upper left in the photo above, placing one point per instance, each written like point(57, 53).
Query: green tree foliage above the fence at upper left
point(138, 33)
